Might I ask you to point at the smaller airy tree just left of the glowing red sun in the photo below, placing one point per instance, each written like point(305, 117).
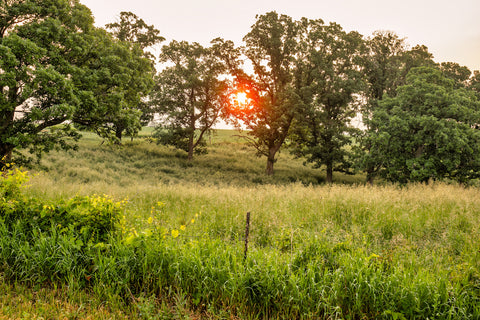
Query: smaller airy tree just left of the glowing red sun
point(189, 96)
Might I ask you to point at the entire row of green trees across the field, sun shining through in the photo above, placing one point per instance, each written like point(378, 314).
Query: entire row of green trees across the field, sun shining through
point(304, 82)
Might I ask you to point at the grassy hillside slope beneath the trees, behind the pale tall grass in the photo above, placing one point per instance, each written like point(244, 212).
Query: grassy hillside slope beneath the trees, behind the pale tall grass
point(229, 162)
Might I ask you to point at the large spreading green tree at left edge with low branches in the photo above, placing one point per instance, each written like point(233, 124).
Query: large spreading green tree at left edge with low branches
point(57, 69)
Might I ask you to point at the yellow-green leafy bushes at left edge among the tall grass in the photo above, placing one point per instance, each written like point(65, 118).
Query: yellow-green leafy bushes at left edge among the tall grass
point(93, 219)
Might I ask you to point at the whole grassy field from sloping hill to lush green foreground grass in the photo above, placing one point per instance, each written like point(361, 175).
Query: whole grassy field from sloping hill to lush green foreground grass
point(346, 251)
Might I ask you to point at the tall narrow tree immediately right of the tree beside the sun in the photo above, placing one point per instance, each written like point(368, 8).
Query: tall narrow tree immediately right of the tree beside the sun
point(331, 70)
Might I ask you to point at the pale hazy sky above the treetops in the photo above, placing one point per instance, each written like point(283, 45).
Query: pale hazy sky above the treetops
point(449, 28)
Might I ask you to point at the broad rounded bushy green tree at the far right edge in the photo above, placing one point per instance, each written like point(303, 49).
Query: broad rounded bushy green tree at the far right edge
point(427, 131)
